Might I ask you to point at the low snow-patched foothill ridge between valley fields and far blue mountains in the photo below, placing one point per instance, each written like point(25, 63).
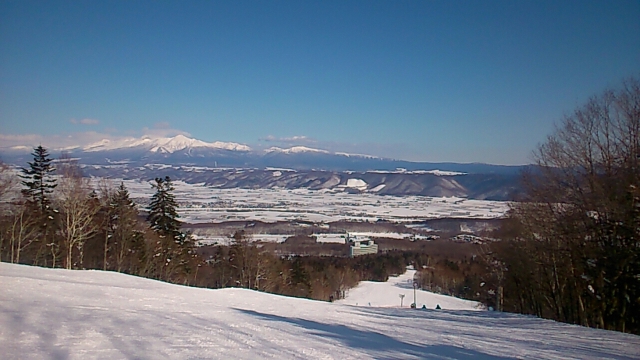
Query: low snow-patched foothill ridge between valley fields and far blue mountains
point(396, 183)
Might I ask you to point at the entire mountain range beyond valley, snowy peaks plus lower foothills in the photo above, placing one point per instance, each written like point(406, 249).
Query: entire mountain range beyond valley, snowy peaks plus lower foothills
point(229, 165)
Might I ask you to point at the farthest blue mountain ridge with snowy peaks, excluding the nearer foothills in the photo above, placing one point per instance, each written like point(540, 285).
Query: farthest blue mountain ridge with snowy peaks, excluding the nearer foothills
point(182, 150)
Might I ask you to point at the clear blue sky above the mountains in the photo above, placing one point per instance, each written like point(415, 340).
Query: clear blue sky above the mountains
point(464, 81)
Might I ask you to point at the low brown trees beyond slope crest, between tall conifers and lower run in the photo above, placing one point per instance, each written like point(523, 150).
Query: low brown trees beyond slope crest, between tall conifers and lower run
point(246, 264)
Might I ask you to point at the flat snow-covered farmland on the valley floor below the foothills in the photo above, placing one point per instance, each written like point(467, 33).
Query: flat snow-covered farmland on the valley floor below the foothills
point(205, 204)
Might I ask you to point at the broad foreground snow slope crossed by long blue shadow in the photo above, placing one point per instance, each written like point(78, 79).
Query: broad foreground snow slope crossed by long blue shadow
point(61, 314)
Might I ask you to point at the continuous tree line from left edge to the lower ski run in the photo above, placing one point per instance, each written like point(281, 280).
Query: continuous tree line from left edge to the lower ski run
point(61, 220)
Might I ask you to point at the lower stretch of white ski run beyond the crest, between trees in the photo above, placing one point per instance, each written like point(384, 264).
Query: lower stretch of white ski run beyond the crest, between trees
point(387, 294)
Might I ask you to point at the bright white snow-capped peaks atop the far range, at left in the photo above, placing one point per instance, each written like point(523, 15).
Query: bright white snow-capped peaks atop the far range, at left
point(162, 144)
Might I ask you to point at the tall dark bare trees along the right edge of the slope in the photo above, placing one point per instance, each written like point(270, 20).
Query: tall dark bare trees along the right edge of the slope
point(572, 245)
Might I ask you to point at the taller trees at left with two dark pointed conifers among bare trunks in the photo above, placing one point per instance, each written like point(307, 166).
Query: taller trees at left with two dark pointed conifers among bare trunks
point(61, 221)
